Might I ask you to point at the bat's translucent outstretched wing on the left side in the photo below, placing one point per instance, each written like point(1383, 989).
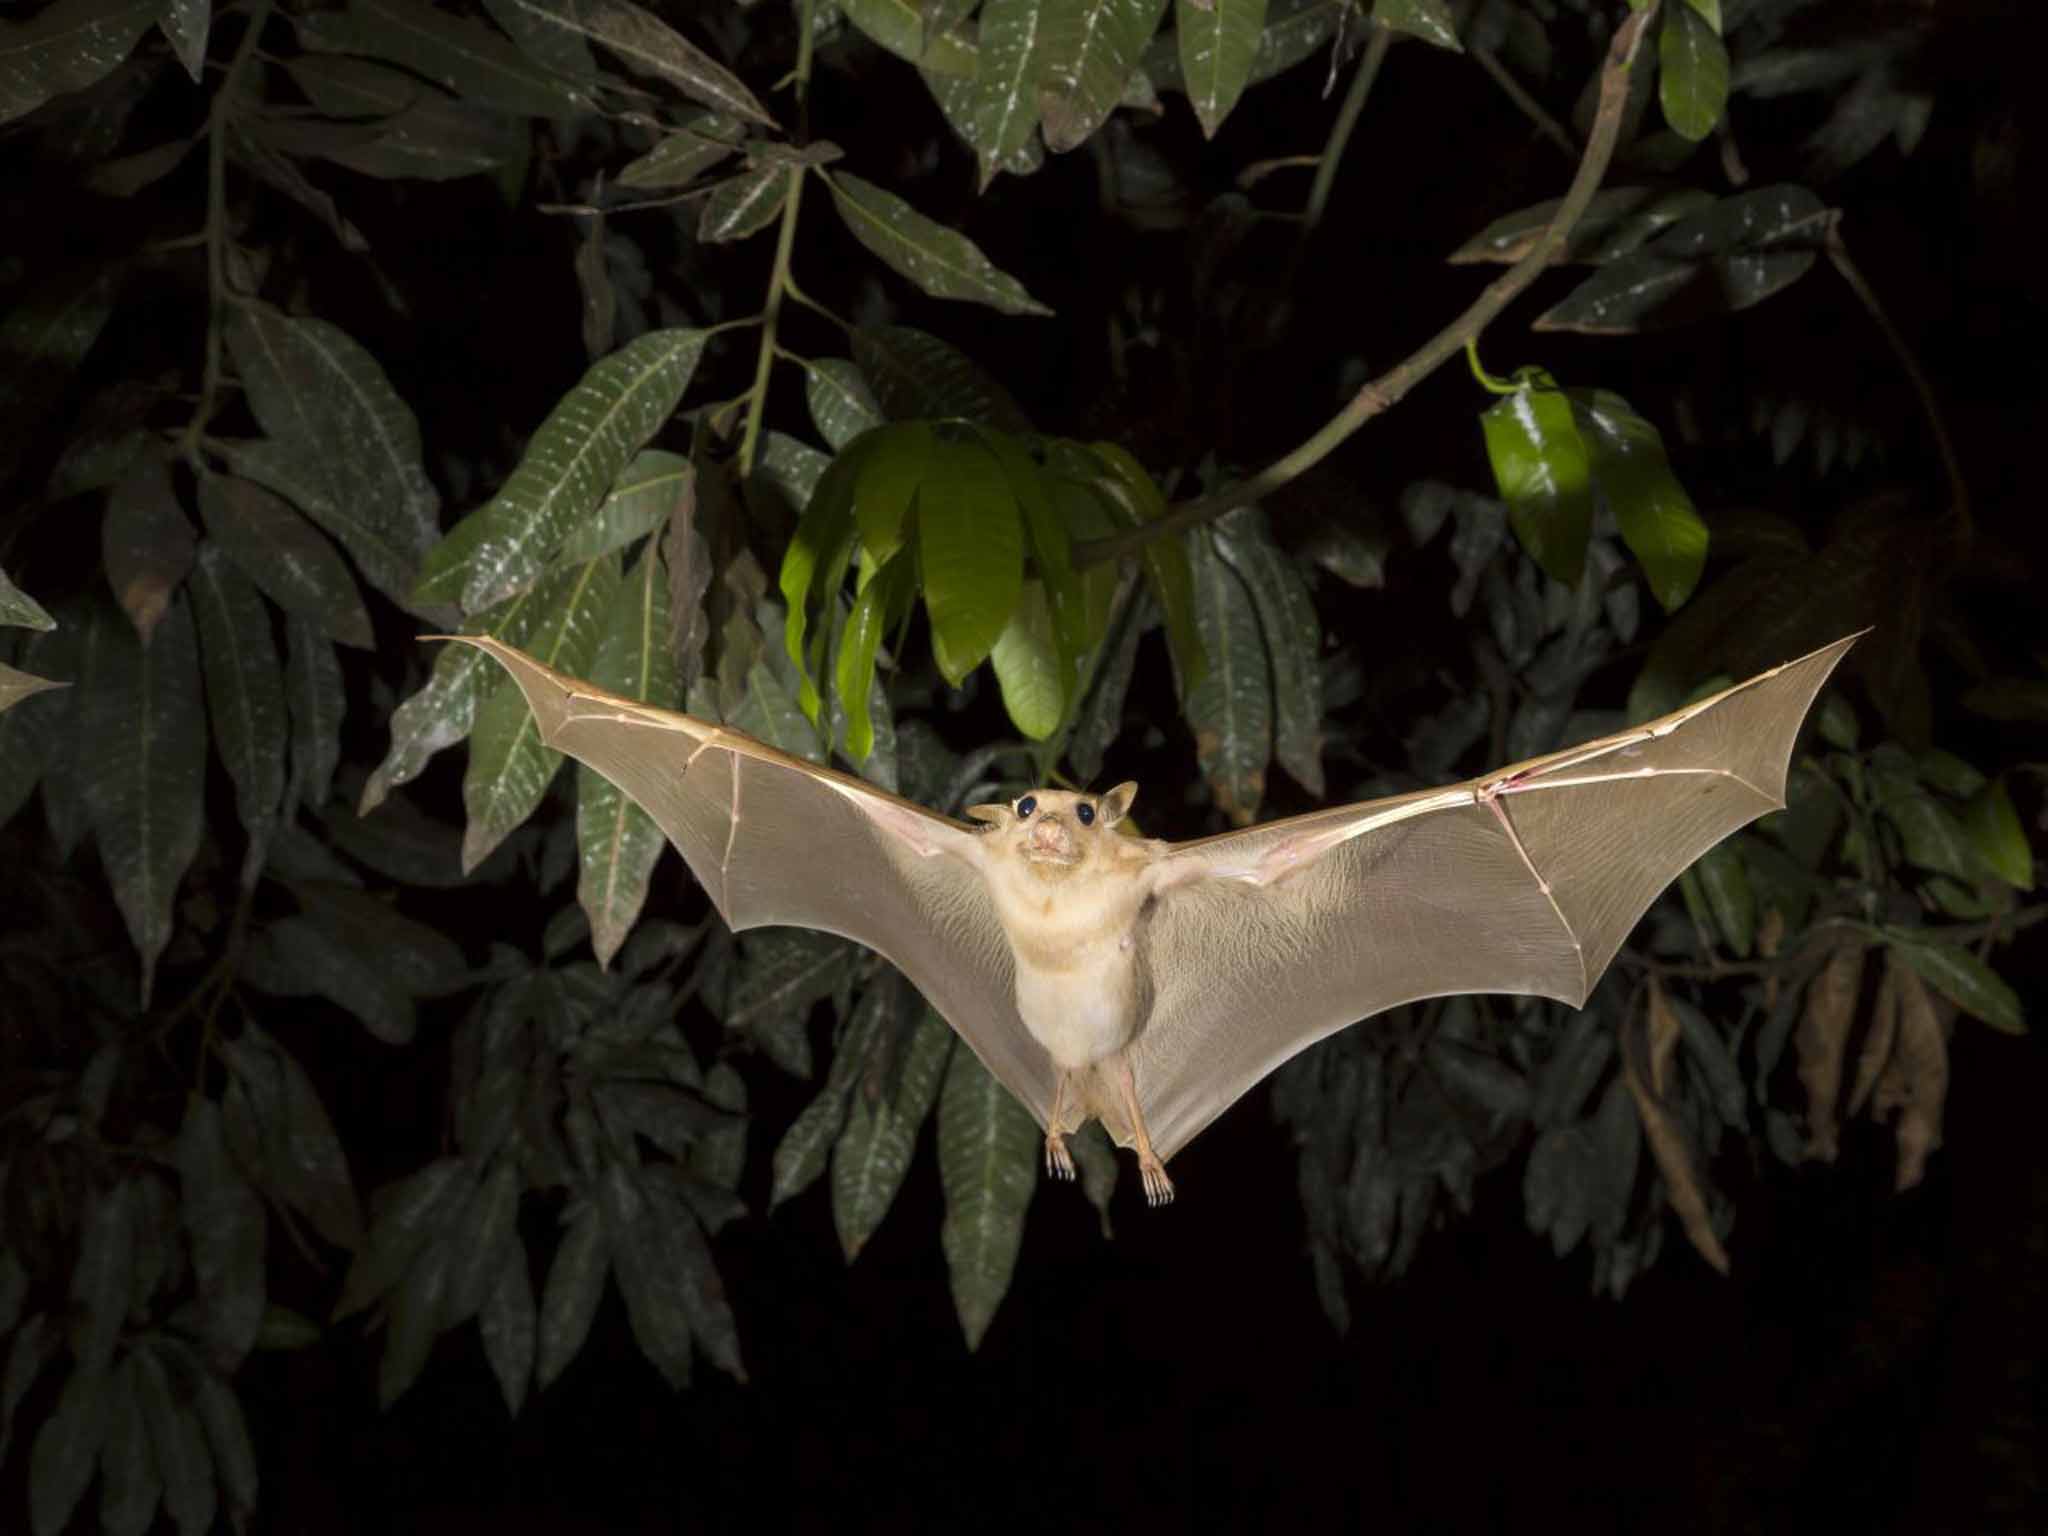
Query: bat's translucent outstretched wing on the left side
point(779, 841)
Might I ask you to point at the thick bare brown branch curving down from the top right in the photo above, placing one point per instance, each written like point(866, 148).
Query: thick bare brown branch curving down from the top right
point(1392, 386)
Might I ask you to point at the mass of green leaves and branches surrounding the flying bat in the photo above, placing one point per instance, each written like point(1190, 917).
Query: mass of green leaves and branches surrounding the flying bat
point(222, 697)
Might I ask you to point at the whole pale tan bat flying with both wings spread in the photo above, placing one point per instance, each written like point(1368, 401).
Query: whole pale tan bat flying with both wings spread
point(1152, 984)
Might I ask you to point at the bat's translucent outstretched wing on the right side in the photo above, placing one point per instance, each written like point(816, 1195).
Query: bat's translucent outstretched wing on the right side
point(1525, 882)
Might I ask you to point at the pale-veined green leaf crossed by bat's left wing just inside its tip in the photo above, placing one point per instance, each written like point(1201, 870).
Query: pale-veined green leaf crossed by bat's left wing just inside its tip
point(509, 765)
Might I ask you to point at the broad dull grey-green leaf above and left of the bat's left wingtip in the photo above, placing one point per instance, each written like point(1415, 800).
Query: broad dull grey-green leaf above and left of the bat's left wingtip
point(333, 413)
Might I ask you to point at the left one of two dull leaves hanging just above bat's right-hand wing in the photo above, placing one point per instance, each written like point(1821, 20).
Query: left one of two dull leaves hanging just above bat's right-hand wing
point(1232, 708)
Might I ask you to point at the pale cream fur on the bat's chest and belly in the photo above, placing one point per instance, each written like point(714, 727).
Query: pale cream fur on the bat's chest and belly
point(1080, 978)
